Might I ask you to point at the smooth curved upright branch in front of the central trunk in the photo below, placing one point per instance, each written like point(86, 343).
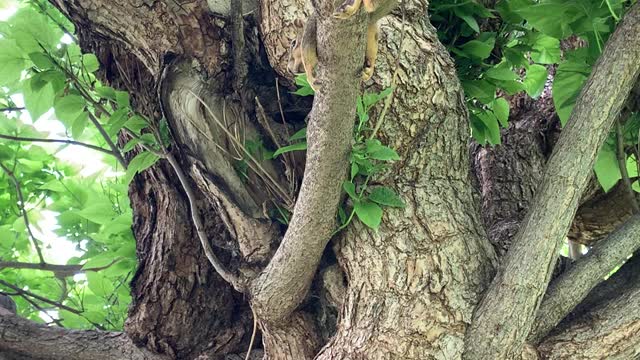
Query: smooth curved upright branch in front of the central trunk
point(284, 283)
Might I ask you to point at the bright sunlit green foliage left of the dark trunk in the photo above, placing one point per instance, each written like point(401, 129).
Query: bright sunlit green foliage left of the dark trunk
point(79, 216)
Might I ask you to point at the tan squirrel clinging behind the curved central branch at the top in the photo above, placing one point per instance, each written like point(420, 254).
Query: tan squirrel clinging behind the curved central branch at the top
point(303, 55)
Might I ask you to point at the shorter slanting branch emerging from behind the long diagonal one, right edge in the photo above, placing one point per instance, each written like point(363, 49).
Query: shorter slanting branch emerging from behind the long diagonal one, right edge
point(575, 284)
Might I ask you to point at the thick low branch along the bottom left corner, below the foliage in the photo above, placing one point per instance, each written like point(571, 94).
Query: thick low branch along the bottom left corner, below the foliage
point(36, 341)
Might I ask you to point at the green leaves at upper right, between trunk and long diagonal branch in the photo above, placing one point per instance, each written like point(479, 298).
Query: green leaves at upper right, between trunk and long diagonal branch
point(509, 49)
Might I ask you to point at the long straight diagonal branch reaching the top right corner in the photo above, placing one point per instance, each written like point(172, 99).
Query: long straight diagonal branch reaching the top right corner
point(503, 319)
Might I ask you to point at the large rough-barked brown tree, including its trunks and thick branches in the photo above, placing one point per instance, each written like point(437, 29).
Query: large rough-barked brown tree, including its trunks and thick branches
point(407, 291)
